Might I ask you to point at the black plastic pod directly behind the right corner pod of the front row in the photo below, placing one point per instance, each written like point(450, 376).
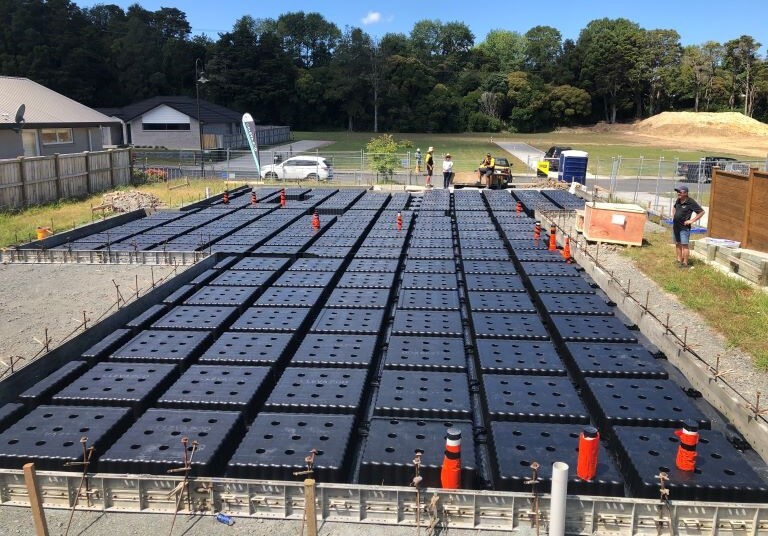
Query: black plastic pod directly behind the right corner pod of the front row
point(640, 402)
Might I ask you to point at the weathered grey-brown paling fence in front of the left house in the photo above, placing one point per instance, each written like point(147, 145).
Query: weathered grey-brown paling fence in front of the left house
point(28, 181)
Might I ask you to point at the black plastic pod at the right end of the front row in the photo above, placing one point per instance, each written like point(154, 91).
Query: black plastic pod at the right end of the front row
point(721, 474)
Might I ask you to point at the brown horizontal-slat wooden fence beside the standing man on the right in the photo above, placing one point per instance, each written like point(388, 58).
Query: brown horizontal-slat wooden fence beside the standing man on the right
point(739, 208)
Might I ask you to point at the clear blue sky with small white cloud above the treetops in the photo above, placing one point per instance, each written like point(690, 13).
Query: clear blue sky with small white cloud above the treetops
point(695, 21)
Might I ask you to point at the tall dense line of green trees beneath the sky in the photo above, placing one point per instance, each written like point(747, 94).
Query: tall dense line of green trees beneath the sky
point(301, 69)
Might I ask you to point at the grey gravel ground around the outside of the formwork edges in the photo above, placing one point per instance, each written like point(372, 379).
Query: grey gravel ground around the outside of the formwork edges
point(33, 297)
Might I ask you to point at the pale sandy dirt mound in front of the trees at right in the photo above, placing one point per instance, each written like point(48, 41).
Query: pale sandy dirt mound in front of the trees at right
point(701, 124)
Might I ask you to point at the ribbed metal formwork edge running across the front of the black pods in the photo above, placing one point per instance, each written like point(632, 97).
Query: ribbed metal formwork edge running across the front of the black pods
point(386, 505)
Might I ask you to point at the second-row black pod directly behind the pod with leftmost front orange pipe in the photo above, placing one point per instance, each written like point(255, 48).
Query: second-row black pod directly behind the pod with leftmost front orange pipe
point(425, 394)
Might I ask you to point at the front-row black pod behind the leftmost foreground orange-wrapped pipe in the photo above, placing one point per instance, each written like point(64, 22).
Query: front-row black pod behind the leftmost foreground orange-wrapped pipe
point(392, 443)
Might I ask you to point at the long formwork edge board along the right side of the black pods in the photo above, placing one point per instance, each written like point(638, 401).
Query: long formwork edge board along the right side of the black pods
point(697, 373)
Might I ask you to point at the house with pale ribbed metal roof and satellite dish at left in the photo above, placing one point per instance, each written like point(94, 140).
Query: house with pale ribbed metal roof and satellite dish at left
point(37, 121)
